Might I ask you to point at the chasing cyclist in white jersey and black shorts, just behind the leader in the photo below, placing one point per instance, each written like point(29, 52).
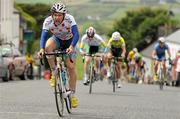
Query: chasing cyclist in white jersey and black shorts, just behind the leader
point(92, 41)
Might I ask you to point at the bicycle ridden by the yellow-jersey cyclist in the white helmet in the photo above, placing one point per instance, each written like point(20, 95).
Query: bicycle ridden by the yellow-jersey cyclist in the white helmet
point(113, 70)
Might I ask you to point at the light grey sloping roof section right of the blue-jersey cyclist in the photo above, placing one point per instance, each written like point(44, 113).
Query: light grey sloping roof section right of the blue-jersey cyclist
point(174, 37)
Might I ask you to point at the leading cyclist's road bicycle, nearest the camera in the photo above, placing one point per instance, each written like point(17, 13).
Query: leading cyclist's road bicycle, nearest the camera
point(61, 88)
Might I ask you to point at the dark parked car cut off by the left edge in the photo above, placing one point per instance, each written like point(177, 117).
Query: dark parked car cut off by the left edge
point(4, 73)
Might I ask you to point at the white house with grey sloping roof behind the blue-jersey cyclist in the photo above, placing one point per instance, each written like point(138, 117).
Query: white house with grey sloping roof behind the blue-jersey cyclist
point(173, 40)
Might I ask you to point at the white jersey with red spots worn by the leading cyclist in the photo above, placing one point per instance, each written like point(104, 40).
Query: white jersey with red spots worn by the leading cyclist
point(61, 31)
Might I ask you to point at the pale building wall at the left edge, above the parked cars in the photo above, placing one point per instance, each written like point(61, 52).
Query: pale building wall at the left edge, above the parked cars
point(9, 23)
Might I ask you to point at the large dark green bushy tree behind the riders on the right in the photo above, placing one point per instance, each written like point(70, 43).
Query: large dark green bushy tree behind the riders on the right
point(139, 24)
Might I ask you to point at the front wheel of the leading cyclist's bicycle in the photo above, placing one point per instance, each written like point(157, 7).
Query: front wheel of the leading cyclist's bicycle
point(59, 96)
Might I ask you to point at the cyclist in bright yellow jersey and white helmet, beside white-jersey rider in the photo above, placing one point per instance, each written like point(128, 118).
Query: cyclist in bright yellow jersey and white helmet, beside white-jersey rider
point(117, 47)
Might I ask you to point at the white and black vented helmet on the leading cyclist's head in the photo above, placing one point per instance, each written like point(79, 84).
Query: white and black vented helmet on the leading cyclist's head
point(58, 7)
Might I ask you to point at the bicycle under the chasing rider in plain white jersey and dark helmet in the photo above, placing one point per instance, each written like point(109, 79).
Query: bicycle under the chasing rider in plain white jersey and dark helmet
point(92, 71)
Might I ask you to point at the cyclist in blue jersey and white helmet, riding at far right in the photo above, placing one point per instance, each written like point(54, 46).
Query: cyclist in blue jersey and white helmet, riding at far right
point(159, 55)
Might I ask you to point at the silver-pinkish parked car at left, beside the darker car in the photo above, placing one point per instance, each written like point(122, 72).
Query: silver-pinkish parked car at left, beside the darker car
point(14, 61)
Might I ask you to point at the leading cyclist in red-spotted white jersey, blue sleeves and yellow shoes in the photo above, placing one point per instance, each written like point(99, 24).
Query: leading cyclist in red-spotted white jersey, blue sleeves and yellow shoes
point(65, 35)
